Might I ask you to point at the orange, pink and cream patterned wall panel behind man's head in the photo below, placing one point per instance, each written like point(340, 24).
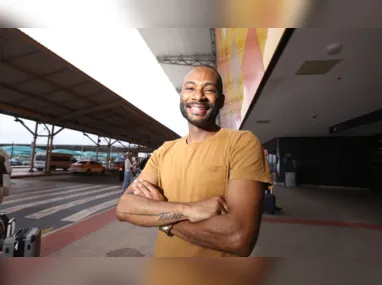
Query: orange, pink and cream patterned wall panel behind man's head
point(242, 57)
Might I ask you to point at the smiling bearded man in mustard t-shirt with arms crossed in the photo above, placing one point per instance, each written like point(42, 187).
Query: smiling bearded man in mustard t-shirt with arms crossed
point(204, 191)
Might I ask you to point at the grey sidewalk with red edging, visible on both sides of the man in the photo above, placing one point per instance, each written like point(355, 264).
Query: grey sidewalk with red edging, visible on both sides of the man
point(316, 222)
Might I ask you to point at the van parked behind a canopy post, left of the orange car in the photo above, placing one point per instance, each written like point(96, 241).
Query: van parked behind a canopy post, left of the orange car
point(57, 161)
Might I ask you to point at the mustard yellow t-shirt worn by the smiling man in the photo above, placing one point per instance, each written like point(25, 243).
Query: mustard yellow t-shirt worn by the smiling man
point(196, 171)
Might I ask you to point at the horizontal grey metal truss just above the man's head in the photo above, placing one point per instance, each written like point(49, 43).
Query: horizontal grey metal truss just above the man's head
point(188, 60)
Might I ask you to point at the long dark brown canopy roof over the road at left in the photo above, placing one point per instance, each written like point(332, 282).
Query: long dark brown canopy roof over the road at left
point(37, 84)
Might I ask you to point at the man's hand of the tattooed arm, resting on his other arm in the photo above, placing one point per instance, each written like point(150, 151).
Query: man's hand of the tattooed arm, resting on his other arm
point(205, 209)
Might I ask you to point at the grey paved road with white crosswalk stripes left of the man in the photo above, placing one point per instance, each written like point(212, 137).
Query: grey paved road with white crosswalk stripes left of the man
point(53, 202)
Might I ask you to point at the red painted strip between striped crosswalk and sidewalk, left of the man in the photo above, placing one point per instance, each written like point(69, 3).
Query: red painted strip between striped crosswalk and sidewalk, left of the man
point(62, 237)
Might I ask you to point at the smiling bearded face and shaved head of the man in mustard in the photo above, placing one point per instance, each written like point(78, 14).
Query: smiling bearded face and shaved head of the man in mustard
point(201, 97)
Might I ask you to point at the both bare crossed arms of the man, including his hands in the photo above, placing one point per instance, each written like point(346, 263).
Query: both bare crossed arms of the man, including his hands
point(233, 229)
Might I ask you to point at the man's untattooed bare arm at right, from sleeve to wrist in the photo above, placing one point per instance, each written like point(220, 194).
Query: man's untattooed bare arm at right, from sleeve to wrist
point(235, 232)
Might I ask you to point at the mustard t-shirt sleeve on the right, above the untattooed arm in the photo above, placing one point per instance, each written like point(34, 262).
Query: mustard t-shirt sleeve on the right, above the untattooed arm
point(247, 160)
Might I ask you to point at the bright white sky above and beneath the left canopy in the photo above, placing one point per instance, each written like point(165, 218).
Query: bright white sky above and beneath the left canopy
point(119, 59)
